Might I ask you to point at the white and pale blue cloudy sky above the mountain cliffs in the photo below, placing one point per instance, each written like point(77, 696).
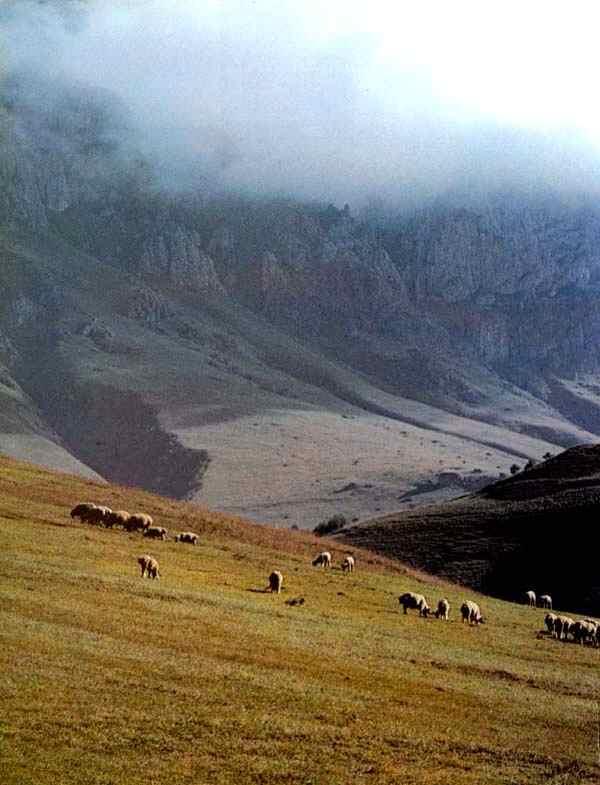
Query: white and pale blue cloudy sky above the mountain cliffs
point(339, 100)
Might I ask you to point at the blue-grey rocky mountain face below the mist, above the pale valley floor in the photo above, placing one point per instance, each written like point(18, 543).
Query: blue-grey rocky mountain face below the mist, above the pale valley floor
point(487, 312)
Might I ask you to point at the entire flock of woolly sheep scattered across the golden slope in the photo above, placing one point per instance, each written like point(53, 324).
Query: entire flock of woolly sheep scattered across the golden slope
point(556, 626)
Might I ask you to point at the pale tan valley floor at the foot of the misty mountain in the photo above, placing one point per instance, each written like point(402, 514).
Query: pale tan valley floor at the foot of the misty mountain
point(307, 465)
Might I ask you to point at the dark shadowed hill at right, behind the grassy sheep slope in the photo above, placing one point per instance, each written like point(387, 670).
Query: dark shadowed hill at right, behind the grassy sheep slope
point(534, 530)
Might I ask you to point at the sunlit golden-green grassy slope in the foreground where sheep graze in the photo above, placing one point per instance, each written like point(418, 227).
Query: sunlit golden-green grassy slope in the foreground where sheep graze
point(202, 677)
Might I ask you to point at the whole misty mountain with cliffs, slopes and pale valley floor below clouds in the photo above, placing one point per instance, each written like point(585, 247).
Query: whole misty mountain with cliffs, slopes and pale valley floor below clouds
point(264, 355)
